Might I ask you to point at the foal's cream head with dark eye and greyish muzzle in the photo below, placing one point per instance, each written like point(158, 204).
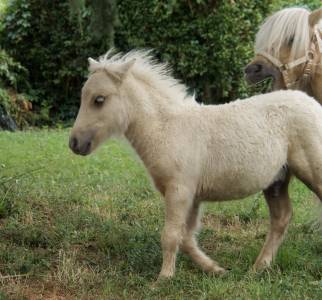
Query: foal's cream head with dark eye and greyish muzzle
point(102, 112)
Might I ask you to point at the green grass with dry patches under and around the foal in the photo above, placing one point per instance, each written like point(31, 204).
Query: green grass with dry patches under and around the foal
point(89, 228)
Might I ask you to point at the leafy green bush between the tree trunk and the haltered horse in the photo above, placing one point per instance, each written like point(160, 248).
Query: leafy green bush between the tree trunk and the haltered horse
point(207, 42)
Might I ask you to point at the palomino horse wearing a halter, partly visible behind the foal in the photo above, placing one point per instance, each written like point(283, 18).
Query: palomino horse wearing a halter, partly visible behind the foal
point(288, 48)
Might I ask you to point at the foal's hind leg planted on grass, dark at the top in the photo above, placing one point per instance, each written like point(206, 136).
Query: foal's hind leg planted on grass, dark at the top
point(280, 210)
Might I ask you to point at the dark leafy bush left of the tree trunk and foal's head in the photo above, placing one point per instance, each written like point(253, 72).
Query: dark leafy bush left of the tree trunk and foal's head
point(48, 42)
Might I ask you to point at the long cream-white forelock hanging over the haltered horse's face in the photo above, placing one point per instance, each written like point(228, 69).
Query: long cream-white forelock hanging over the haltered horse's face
point(281, 28)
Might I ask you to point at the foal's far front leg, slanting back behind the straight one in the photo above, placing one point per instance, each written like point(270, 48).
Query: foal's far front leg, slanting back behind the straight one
point(190, 245)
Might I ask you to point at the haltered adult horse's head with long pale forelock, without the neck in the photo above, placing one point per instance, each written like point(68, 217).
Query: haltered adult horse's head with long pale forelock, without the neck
point(283, 38)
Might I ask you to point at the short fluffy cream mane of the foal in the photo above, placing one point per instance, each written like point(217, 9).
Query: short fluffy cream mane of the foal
point(156, 75)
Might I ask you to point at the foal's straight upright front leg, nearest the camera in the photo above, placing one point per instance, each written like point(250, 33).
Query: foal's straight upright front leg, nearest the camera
point(178, 201)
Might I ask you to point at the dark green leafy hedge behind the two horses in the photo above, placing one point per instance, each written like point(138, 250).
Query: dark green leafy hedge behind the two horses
point(207, 42)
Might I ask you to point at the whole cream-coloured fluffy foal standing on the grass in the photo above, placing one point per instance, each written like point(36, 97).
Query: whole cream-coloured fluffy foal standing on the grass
point(202, 152)
